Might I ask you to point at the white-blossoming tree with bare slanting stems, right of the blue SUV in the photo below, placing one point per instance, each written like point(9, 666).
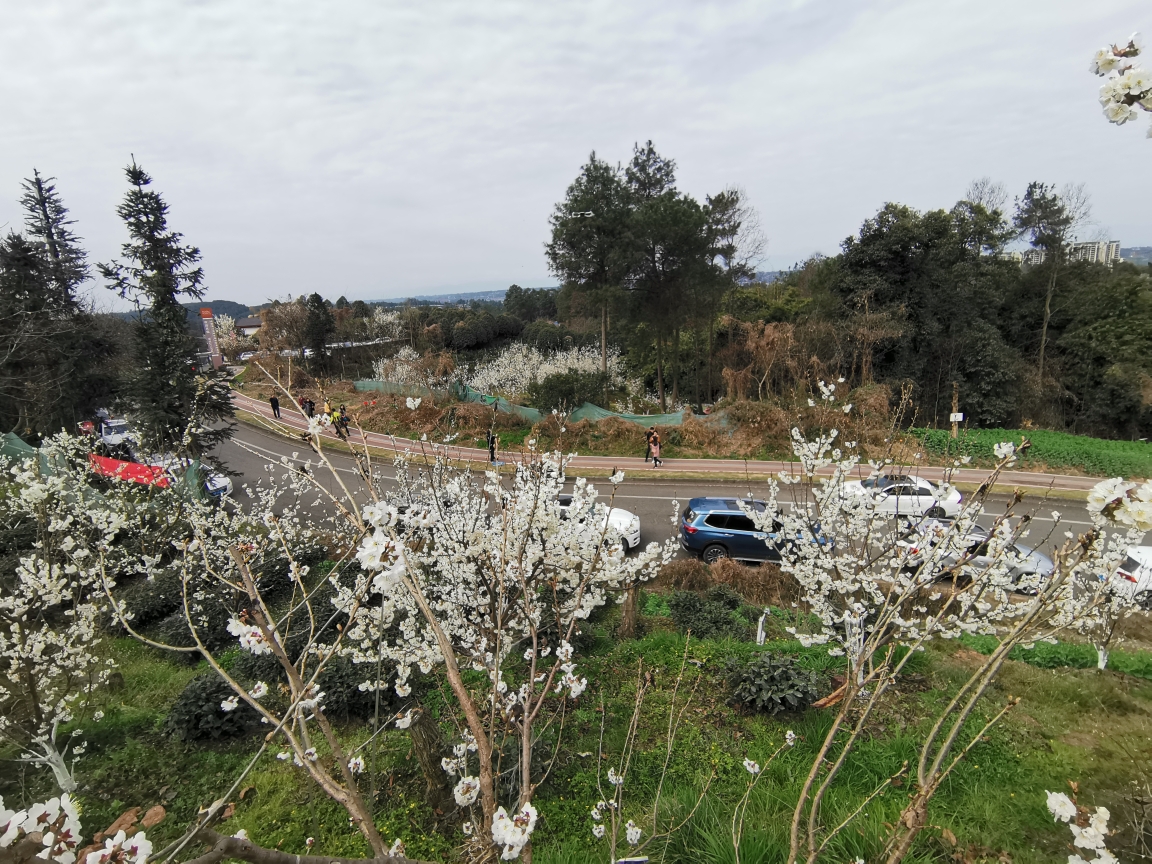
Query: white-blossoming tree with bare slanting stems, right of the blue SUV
point(881, 592)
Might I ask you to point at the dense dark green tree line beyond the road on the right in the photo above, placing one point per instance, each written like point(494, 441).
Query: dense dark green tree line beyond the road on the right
point(927, 301)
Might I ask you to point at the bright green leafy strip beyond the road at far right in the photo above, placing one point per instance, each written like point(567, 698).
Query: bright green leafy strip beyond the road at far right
point(1056, 450)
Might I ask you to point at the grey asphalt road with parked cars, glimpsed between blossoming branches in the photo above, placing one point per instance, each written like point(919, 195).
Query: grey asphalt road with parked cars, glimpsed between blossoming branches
point(653, 499)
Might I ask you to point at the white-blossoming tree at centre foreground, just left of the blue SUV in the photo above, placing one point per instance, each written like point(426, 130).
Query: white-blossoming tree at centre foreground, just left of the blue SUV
point(466, 573)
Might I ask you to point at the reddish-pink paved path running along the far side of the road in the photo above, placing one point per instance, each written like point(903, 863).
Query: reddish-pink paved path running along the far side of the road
point(721, 468)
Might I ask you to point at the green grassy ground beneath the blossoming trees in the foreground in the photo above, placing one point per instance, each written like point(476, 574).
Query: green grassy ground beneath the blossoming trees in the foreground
point(1074, 724)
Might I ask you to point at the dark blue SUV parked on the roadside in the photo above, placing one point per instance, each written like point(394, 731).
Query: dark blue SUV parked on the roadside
point(716, 528)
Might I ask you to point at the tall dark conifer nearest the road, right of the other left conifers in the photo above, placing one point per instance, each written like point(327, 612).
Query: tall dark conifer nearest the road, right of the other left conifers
point(175, 406)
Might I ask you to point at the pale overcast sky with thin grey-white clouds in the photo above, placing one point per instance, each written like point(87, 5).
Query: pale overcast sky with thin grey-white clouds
point(377, 149)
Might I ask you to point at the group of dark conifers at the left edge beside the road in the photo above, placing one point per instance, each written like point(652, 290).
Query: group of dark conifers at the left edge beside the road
point(63, 361)
